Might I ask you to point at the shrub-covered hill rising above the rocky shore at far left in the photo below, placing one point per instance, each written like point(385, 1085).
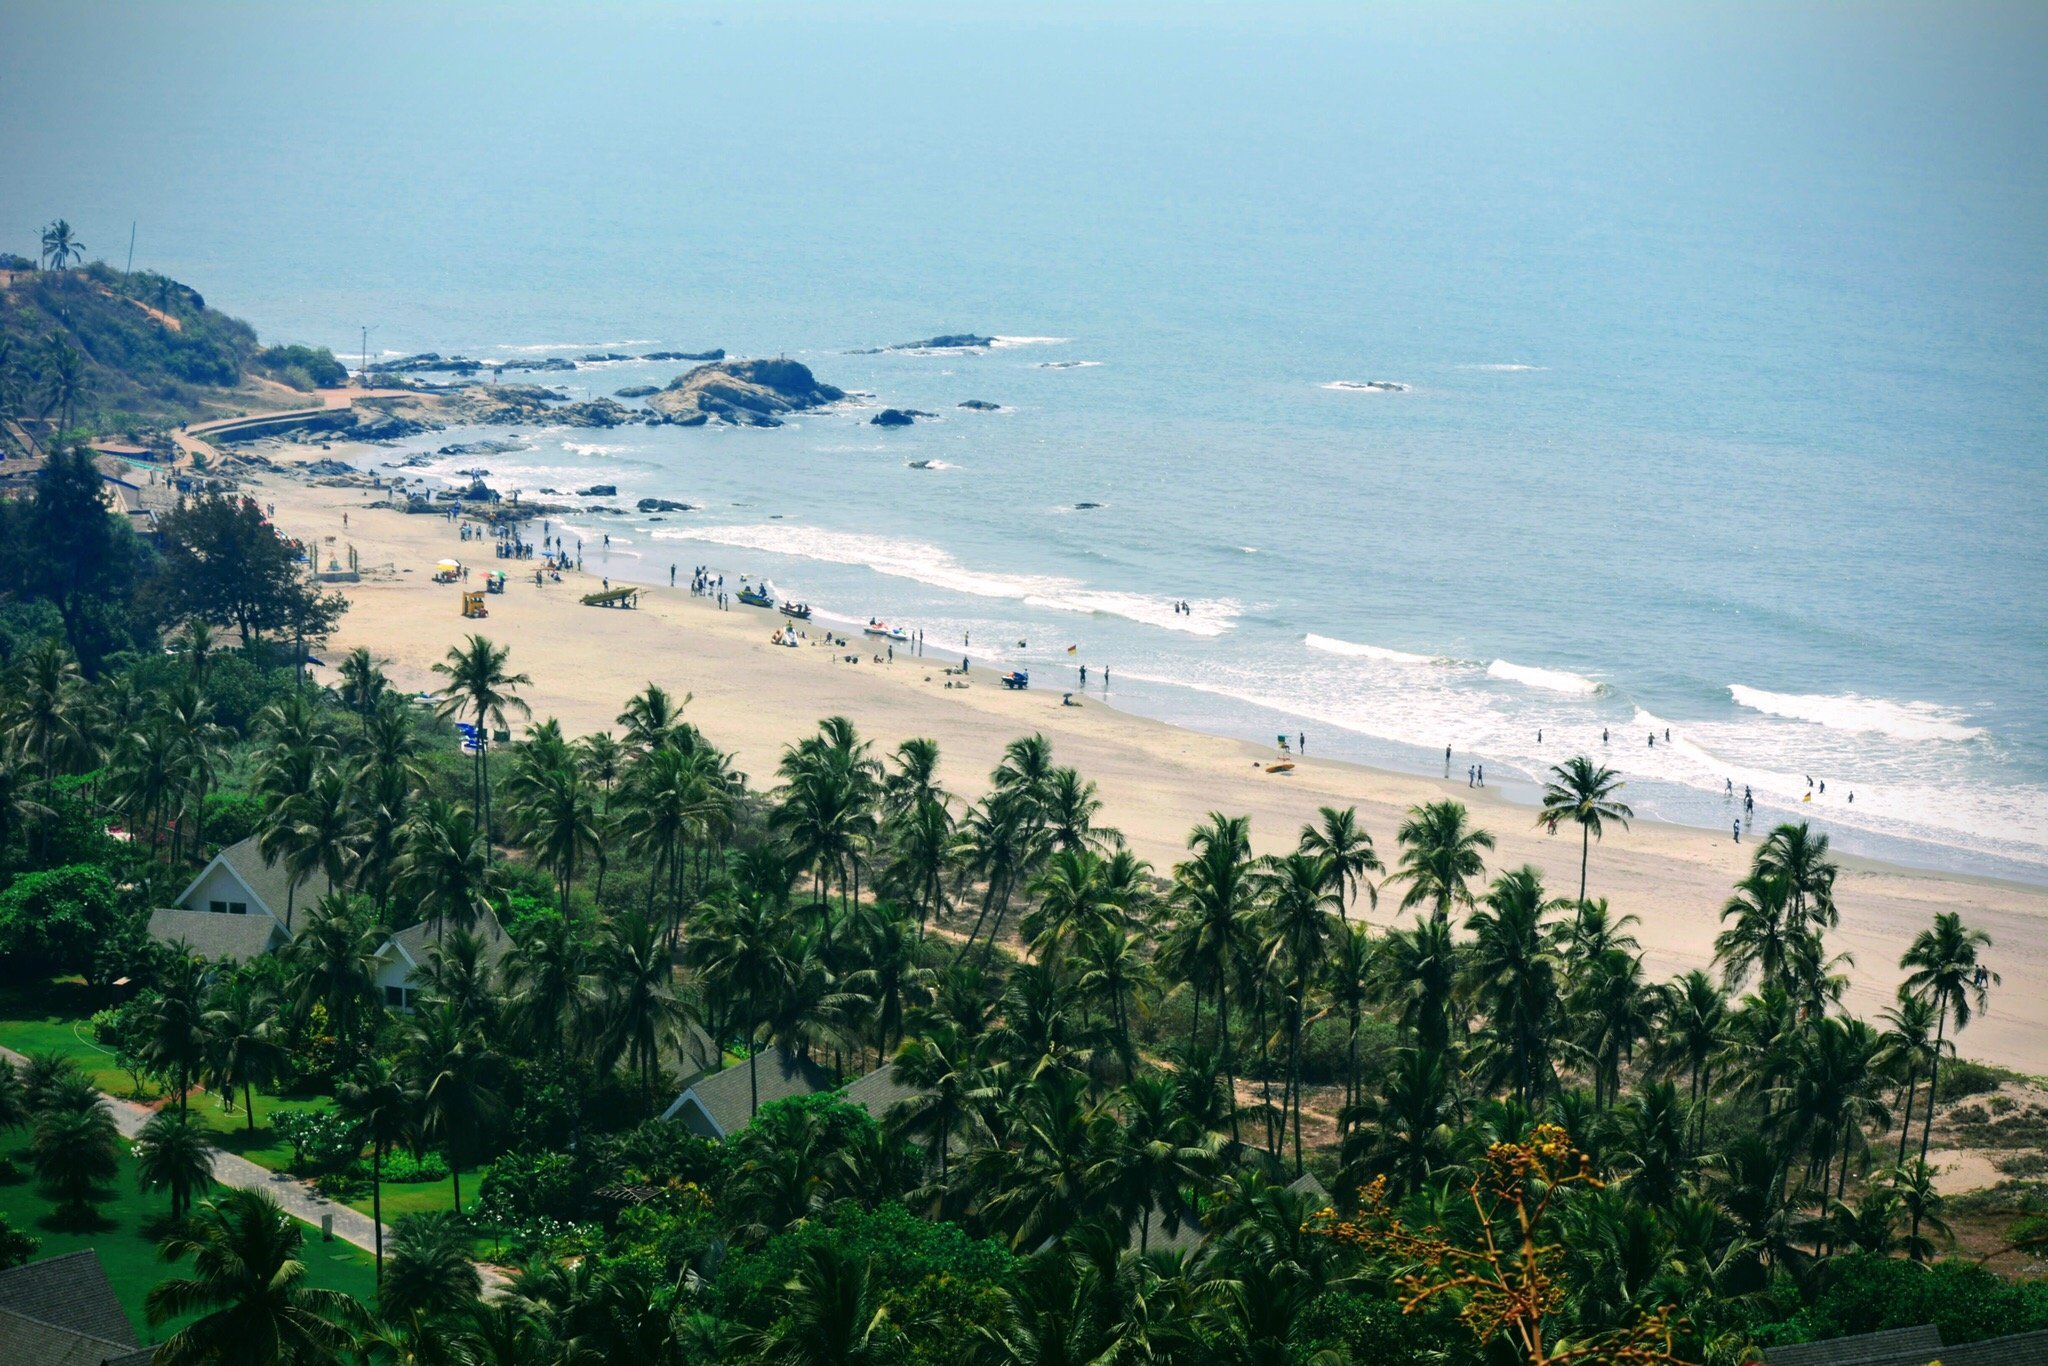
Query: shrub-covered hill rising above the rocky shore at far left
point(97, 349)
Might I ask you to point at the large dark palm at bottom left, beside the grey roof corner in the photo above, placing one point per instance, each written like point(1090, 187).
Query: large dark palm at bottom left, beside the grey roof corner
point(249, 1287)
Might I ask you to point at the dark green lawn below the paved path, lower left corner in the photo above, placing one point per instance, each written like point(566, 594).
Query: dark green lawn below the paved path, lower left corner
point(128, 1250)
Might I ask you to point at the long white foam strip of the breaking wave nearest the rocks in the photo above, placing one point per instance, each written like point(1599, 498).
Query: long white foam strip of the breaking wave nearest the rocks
point(929, 564)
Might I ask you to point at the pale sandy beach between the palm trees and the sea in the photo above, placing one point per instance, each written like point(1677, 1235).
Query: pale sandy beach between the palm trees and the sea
point(1156, 781)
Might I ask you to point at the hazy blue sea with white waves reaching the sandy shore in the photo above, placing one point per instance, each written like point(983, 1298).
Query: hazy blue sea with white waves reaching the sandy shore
point(1725, 343)
